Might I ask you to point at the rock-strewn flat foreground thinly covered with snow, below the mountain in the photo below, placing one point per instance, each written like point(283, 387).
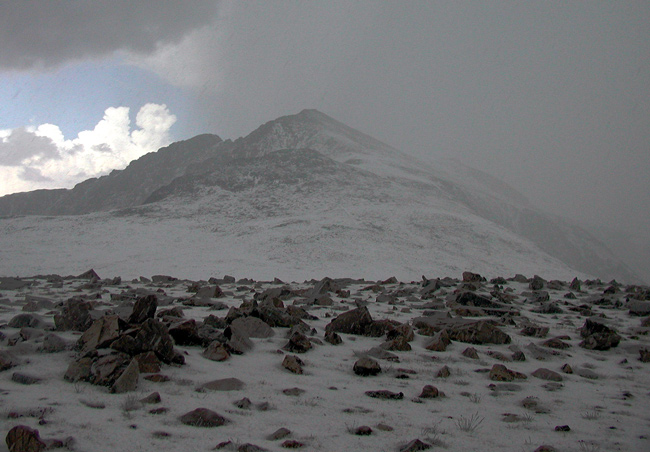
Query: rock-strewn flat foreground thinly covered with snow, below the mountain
point(518, 364)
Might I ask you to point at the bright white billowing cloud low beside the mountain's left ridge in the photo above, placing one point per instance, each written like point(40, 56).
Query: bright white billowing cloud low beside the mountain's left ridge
point(40, 157)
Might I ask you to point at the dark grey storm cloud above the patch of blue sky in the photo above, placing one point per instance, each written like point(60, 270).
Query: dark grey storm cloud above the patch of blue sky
point(37, 34)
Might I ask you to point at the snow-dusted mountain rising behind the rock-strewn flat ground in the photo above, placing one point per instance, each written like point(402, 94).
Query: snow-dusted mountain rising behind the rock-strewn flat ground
point(302, 196)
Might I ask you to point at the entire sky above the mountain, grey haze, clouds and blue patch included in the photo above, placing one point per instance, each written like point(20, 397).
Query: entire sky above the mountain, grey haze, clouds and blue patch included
point(552, 97)
